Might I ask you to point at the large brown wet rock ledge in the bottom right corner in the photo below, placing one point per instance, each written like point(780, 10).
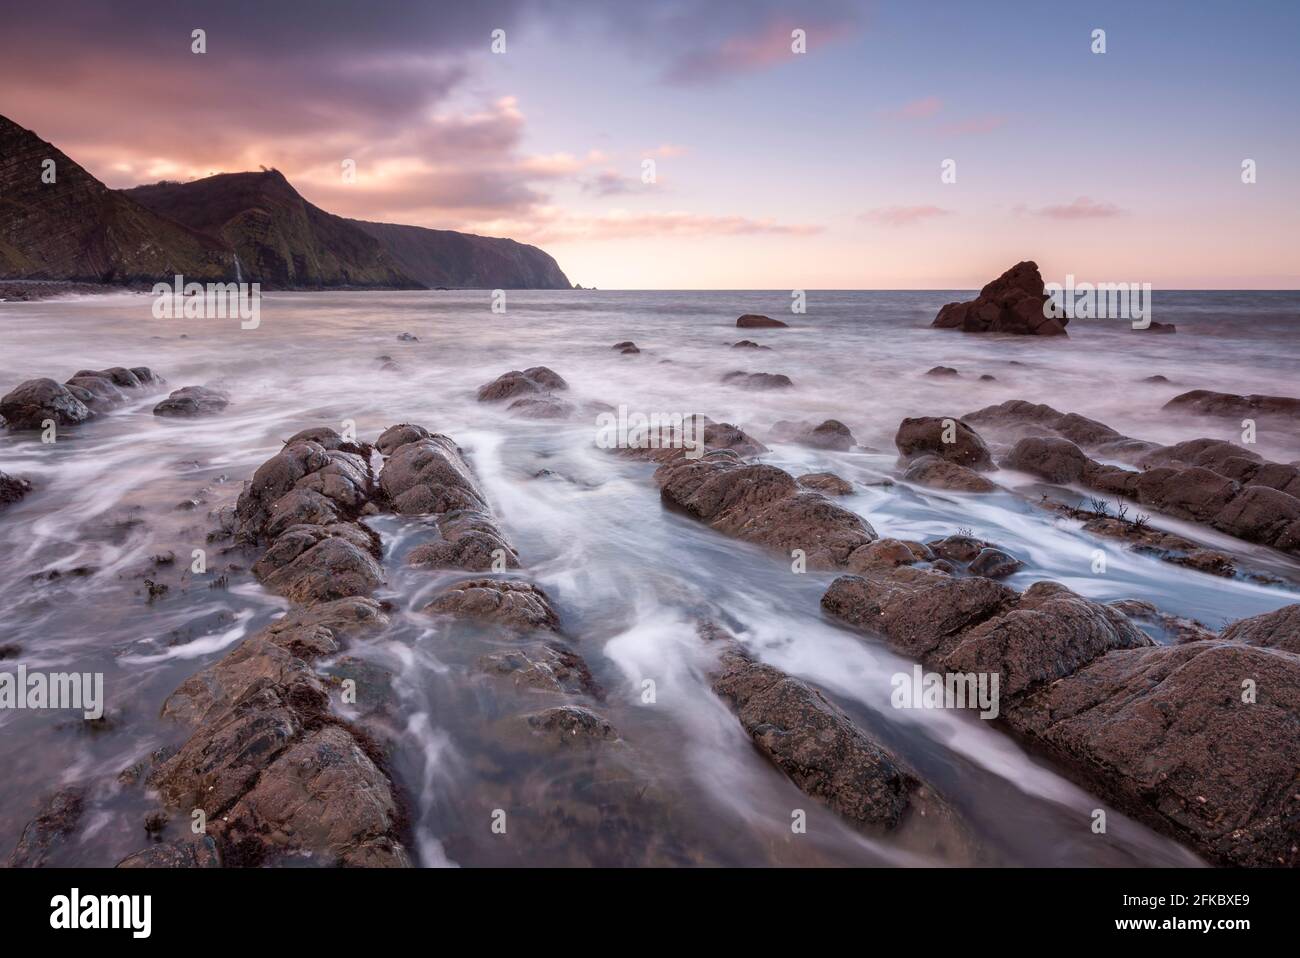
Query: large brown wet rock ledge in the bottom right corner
point(1163, 731)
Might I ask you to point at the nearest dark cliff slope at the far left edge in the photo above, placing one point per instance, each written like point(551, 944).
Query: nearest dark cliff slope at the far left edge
point(79, 229)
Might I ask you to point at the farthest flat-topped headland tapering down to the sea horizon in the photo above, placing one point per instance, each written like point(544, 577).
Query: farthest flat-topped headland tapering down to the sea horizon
point(444, 258)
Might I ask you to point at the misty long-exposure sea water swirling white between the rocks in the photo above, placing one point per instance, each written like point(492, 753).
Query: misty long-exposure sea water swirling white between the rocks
point(629, 578)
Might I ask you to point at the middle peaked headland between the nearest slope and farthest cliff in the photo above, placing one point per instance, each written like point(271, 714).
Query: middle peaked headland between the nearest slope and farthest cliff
point(283, 241)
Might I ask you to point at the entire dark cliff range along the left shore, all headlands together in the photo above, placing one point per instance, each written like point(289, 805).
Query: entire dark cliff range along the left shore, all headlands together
point(235, 226)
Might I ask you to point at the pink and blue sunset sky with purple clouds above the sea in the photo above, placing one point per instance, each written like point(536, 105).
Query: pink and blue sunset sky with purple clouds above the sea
point(687, 145)
